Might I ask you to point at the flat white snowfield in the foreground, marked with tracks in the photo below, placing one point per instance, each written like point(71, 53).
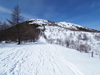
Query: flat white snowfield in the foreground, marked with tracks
point(45, 59)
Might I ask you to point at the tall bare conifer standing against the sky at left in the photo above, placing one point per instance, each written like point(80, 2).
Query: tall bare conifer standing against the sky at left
point(16, 18)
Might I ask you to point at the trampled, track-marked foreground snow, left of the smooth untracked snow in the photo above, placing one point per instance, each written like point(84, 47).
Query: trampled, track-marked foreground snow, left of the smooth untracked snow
point(35, 60)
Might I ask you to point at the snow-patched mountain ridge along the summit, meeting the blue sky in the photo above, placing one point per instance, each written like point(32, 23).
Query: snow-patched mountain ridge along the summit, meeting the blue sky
point(66, 25)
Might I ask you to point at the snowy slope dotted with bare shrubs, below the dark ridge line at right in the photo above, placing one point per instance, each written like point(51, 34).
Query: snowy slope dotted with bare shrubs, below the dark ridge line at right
point(59, 35)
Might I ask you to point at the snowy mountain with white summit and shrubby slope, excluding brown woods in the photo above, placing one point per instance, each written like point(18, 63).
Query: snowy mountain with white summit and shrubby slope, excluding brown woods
point(70, 35)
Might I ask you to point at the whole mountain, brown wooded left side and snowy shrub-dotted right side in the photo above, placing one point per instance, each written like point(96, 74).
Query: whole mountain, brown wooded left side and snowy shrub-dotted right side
point(62, 33)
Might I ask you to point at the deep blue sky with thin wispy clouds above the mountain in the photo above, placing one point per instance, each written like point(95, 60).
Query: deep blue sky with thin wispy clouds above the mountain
point(82, 12)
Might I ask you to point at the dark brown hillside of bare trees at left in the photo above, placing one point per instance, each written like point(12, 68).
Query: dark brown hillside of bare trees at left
point(27, 33)
